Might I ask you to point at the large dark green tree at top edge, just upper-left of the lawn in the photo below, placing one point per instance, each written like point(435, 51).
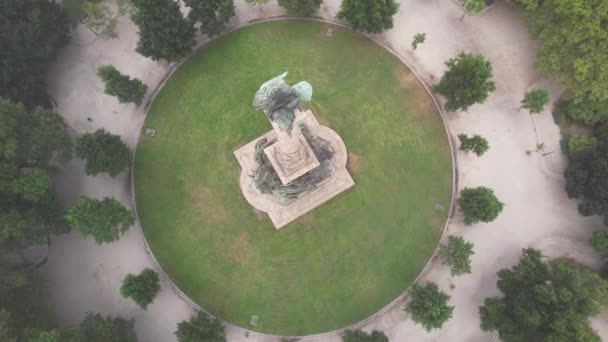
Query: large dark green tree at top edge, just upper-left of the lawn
point(163, 32)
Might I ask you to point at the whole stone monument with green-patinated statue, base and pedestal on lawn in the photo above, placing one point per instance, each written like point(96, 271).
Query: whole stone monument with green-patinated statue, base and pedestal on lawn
point(298, 165)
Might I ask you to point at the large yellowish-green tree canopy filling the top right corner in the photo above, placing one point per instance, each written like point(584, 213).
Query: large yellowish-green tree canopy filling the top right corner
point(574, 43)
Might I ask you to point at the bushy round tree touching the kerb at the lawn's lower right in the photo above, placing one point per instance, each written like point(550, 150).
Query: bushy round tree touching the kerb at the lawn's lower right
point(429, 306)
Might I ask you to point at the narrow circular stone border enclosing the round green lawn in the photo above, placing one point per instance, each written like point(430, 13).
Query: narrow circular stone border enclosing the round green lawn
point(454, 180)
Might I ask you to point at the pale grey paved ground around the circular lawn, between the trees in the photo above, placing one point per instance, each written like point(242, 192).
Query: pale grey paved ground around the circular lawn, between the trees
point(85, 277)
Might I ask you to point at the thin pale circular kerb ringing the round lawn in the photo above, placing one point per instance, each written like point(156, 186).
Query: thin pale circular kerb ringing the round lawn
point(389, 306)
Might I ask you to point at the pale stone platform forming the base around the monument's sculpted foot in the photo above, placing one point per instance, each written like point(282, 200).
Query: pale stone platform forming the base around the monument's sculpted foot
point(283, 212)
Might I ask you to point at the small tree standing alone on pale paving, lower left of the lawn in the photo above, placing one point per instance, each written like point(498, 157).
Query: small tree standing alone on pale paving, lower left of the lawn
point(142, 288)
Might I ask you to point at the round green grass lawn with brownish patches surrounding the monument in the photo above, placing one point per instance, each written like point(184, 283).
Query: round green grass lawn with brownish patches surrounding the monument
point(346, 259)
